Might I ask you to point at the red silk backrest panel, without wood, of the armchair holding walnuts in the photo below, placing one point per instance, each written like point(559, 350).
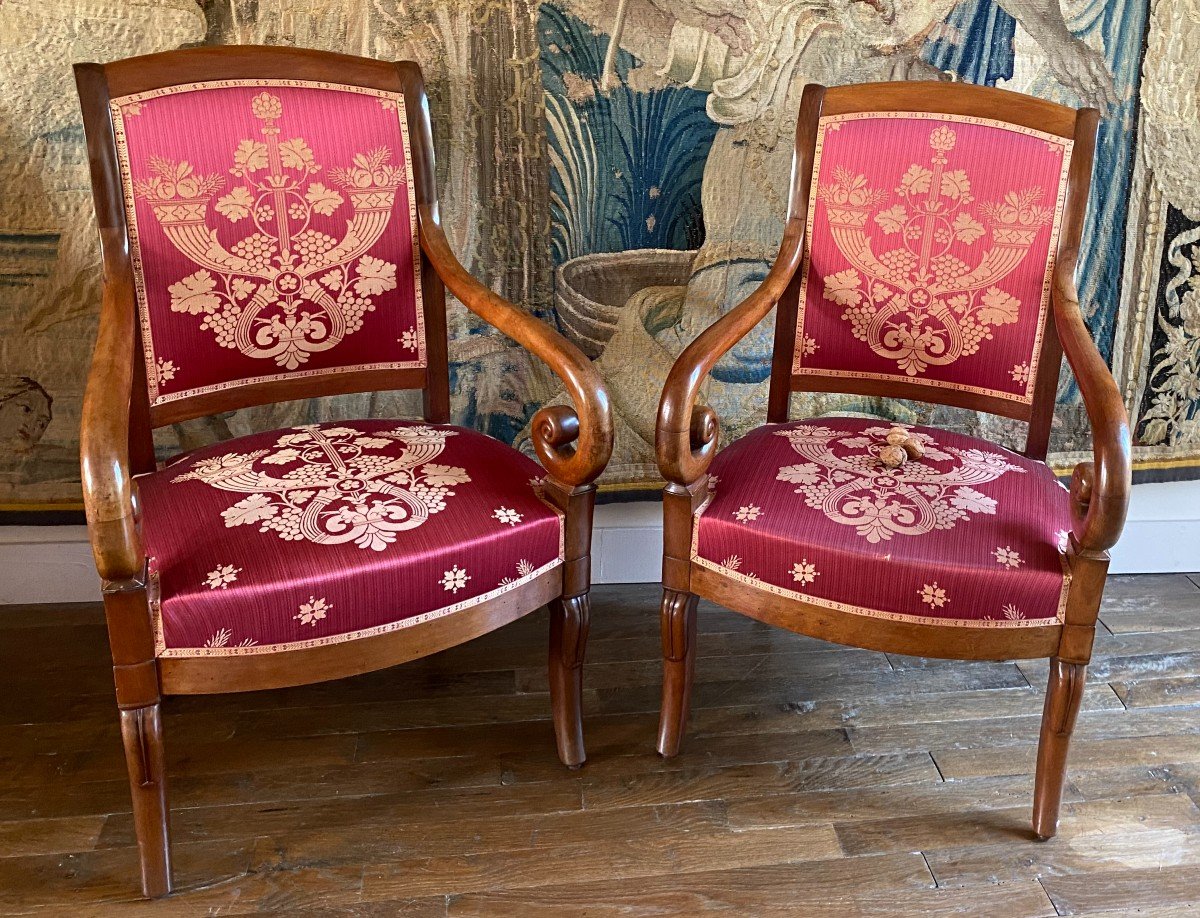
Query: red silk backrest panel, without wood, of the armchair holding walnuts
point(931, 250)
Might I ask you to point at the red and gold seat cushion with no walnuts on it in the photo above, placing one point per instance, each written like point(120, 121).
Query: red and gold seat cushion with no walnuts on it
point(321, 535)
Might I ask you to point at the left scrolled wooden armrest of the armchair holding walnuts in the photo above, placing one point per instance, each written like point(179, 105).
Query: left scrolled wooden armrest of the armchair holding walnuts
point(687, 435)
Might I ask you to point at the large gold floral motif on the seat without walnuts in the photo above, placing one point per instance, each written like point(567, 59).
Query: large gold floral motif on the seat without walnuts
point(329, 487)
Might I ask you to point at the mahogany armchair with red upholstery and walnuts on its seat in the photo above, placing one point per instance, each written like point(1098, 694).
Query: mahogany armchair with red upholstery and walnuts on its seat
point(929, 254)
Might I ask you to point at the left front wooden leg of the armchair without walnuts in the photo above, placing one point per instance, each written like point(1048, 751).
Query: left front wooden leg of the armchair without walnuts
point(142, 733)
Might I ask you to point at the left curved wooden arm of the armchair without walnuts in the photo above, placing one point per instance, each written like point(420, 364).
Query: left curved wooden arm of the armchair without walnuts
point(110, 494)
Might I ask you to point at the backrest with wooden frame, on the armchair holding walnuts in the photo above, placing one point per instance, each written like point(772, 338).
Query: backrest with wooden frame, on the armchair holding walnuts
point(937, 215)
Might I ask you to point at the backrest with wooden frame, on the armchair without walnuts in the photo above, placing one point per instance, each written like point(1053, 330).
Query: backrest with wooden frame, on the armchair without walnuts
point(268, 202)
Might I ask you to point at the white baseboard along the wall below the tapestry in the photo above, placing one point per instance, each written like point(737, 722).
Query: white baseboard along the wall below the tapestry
point(53, 563)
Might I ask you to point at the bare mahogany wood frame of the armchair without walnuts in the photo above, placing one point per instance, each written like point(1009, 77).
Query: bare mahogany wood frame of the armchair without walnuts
point(118, 422)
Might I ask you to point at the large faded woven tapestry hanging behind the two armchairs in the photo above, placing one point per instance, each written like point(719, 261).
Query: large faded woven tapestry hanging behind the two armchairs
point(620, 167)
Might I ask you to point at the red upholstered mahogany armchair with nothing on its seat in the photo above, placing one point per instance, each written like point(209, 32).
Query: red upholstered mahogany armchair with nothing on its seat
point(269, 229)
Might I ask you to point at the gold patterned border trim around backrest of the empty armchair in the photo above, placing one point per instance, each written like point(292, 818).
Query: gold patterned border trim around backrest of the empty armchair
point(118, 116)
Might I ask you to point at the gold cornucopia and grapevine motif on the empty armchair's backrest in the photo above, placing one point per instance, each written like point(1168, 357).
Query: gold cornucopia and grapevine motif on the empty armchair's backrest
point(286, 290)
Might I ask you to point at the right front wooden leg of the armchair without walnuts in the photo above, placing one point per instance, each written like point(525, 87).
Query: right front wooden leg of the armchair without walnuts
point(568, 641)
